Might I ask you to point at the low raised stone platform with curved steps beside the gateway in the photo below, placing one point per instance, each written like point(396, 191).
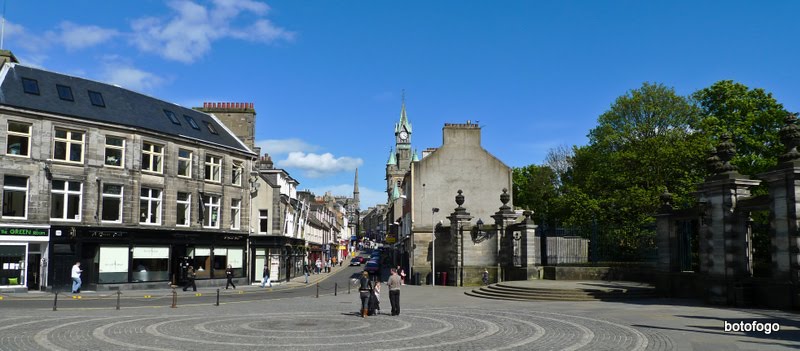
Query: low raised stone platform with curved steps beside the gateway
point(564, 290)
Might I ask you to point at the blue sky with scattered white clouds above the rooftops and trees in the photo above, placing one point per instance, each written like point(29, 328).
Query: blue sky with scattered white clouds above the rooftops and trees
point(326, 76)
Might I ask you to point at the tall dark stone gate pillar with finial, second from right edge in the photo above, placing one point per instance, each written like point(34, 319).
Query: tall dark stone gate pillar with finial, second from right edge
point(723, 239)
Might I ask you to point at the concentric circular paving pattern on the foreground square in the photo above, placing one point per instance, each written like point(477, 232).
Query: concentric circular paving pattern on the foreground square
point(415, 329)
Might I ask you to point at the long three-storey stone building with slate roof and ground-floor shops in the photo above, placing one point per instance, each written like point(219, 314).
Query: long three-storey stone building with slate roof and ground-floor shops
point(133, 187)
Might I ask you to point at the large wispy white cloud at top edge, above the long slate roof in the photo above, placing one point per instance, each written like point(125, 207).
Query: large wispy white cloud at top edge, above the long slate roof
point(189, 33)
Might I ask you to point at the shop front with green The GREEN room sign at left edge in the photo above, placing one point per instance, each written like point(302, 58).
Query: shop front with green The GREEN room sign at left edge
point(21, 251)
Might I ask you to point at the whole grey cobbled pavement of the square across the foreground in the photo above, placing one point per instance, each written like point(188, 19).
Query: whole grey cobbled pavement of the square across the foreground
point(432, 318)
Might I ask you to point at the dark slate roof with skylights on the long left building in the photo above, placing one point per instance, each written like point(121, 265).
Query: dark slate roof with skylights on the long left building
point(122, 106)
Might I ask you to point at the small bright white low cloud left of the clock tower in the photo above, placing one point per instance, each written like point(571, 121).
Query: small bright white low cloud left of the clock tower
point(319, 165)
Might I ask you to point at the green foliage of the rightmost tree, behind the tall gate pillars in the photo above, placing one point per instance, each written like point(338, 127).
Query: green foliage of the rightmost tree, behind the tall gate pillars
point(751, 116)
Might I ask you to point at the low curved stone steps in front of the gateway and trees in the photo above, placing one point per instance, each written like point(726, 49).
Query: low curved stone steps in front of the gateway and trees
point(502, 291)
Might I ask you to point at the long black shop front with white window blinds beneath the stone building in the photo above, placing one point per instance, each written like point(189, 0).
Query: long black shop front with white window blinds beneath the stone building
point(142, 259)
